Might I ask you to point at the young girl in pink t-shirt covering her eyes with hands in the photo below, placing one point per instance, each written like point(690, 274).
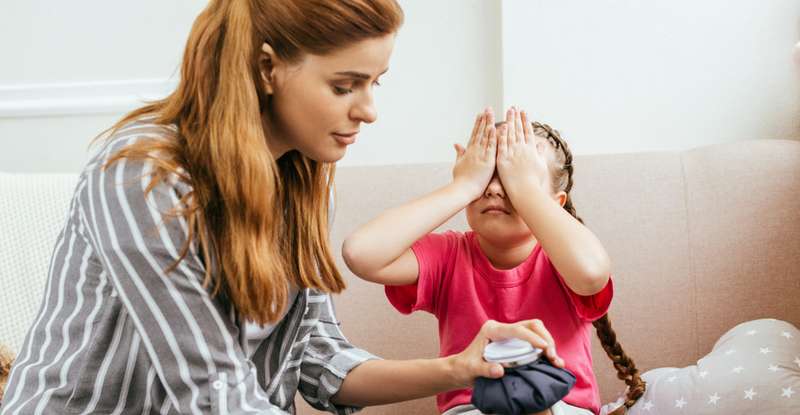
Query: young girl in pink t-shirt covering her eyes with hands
point(528, 256)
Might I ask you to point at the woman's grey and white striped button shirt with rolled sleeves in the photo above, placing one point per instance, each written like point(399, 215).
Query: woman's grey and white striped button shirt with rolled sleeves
point(115, 334)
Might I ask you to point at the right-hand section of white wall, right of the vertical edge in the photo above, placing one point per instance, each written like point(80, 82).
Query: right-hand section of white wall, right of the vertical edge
point(632, 75)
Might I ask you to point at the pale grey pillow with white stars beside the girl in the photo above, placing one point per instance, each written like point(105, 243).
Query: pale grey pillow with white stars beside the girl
point(753, 368)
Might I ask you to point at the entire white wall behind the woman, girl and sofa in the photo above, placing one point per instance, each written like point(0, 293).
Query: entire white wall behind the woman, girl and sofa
point(612, 75)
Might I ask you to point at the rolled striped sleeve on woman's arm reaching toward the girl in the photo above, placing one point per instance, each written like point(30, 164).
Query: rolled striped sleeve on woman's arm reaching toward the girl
point(327, 360)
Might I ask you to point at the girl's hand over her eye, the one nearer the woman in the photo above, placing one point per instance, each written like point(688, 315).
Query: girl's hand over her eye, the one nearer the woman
point(475, 164)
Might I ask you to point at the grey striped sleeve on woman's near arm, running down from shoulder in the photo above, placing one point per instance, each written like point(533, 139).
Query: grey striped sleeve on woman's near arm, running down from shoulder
point(187, 335)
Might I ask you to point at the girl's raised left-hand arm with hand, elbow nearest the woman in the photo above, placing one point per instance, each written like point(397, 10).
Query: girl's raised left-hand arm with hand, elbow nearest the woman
point(379, 251)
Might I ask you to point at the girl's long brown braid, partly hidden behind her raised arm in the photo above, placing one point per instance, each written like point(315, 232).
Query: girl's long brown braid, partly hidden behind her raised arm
point(562, 180)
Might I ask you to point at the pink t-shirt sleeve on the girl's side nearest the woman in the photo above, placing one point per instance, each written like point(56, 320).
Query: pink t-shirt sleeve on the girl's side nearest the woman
point(435, 253)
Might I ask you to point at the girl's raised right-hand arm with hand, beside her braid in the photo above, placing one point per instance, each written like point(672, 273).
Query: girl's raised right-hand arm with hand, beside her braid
point(574, 250)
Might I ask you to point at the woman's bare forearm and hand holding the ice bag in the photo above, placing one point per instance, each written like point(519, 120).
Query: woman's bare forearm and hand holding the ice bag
point(379, 382)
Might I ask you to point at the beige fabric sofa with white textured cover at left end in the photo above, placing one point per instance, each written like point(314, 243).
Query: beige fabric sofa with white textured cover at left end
point(700, 240)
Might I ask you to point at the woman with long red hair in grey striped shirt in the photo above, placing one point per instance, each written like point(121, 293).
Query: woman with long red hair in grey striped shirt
point(193, 274)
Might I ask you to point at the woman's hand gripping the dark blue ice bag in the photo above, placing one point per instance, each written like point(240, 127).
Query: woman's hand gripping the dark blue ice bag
point(469, 364)
